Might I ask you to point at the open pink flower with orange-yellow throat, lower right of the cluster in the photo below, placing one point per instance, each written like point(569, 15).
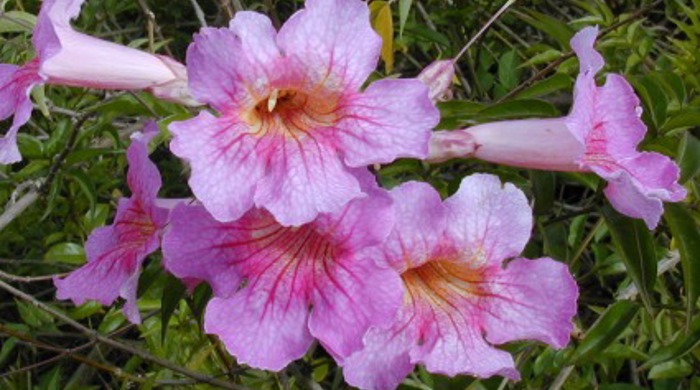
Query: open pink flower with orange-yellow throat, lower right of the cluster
point(460, 298)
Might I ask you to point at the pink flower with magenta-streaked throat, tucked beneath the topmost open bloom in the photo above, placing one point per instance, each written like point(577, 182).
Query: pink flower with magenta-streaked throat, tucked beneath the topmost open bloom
point(277, 288)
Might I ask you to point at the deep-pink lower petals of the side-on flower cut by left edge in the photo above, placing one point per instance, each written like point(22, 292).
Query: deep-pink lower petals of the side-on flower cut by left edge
point(15, 85)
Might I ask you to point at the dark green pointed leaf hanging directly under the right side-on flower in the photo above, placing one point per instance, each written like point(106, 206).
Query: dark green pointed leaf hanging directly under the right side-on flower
point(636, 247)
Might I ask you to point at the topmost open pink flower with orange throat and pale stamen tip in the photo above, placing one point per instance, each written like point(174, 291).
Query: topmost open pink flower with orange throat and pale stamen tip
point(292, 119)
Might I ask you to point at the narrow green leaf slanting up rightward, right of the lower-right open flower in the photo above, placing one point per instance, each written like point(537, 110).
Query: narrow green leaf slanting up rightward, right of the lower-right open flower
point(605, 331)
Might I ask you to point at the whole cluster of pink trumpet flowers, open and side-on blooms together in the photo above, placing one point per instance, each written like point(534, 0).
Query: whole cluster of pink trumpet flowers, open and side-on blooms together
point(288, 226)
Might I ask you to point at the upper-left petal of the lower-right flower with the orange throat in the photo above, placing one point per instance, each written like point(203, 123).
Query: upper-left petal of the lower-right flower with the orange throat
point(420, 222)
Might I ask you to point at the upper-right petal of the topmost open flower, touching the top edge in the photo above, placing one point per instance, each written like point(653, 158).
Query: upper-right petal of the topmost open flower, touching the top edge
point(333, 41)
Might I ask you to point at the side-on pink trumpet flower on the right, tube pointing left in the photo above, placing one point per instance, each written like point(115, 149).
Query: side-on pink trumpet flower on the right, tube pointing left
point(601, 134)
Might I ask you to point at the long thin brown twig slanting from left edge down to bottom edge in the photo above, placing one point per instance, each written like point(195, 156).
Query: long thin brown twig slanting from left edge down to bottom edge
point(93, 335)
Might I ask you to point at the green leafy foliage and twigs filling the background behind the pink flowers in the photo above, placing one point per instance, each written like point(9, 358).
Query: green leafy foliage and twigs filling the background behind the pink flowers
point(636, 327)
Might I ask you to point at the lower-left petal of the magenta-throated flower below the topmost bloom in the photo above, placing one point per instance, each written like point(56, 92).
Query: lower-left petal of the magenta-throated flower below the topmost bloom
point(262, 329)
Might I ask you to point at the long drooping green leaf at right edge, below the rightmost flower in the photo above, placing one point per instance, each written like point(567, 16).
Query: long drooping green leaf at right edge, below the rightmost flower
point(685, 232)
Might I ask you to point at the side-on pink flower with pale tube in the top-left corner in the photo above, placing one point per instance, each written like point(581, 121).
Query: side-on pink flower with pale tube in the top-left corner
point(67, 57)
